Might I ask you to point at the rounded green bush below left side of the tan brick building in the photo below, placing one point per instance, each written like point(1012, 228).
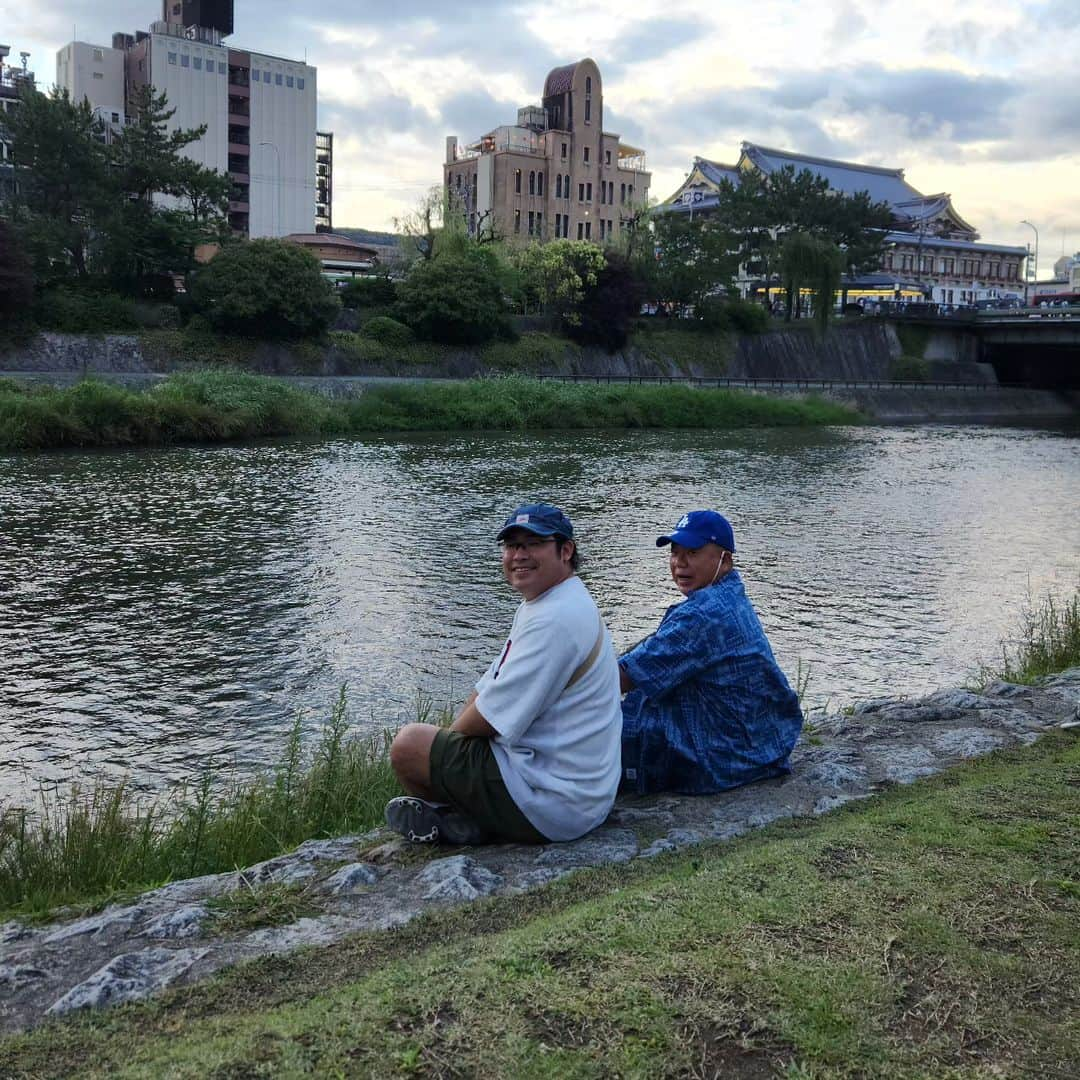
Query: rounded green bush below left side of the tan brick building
point(456, 299)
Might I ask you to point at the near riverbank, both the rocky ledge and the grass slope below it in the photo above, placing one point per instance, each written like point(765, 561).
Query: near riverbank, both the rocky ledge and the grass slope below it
point(927, 931)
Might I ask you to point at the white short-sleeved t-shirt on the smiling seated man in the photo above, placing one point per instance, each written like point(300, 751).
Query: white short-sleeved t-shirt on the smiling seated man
point(558, 749)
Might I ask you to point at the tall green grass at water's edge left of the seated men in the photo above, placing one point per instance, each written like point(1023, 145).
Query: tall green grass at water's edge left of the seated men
point(85, 847)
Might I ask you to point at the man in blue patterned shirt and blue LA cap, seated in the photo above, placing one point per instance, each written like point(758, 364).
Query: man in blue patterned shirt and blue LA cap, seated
point(707, 708)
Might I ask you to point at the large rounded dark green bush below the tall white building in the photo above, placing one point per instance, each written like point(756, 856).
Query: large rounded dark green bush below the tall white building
point(268, 289)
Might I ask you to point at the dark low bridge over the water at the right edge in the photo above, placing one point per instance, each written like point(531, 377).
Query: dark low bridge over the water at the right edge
point(1035, 347)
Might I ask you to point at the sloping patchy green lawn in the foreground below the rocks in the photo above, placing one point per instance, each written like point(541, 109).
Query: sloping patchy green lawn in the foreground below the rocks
point(928, 934)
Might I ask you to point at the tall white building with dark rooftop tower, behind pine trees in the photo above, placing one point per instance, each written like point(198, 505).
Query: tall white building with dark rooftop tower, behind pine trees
point(260, 111)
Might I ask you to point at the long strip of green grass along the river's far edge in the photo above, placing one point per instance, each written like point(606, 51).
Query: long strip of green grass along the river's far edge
point(215, 407)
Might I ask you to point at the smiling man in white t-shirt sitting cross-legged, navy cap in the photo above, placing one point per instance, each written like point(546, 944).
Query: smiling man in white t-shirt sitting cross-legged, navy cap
point(534, 755)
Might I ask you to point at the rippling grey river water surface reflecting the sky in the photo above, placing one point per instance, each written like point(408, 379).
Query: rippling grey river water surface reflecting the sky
point(165, 610)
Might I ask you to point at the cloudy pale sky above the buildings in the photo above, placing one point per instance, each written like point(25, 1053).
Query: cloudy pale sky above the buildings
point(979, 100)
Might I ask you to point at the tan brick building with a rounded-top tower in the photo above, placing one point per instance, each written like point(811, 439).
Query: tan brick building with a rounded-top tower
point(556, 173)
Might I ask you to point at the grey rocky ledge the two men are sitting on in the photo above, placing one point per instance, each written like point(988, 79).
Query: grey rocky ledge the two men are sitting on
point(172, 936)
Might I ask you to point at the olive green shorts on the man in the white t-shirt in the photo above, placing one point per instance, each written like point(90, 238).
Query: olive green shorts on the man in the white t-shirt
point(466, 775)
